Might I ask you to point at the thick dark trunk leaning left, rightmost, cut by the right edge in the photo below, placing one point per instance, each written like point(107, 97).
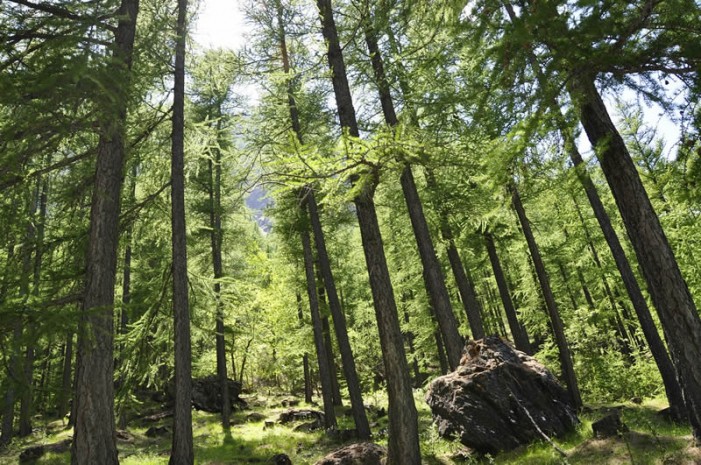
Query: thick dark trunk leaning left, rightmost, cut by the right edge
point(669, 292)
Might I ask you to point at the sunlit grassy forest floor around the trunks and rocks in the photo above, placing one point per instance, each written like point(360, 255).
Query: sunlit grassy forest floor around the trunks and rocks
point(651, 440)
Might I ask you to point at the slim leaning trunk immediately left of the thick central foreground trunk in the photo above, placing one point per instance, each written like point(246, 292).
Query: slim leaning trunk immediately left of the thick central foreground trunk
point(339, 322)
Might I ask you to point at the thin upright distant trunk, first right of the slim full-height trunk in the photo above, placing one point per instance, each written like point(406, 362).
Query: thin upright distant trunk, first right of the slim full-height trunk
point(216, 236)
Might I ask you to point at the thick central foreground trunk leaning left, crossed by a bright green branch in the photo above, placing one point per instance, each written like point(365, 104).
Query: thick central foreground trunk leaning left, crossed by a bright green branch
point(403, 441)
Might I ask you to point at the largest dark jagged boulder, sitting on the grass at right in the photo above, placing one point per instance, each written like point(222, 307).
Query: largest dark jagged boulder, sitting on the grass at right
point(499, 398)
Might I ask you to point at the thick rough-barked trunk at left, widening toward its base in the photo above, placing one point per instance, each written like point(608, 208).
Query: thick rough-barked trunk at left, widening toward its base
point(94, 438)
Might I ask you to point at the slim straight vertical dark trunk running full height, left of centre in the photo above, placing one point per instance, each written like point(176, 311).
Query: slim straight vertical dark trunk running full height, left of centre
point(181, 452)
